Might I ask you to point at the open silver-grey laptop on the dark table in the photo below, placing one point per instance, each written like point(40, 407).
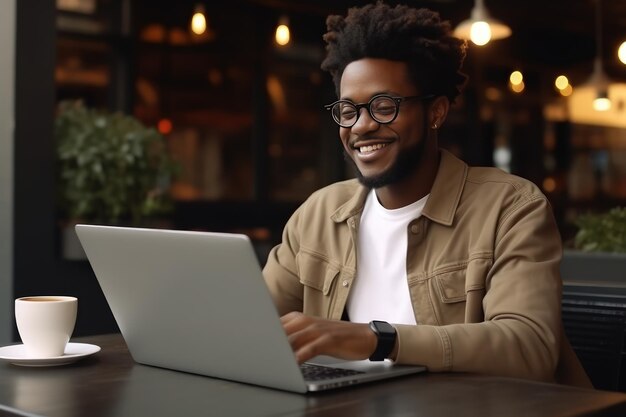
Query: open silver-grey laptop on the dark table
point(197, 302)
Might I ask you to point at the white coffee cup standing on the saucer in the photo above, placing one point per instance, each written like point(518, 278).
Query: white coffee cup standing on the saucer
point(45, 324)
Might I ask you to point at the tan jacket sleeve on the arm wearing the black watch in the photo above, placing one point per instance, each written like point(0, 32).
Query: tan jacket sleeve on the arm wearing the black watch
point(521, 332)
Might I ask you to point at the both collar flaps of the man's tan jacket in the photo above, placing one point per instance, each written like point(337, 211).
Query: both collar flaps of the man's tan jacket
point(444, 195)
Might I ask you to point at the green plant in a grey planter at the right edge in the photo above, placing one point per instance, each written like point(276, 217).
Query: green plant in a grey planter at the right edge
point(599, 253)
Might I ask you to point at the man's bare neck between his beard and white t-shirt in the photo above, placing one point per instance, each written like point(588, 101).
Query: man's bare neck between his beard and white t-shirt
point(414, 187)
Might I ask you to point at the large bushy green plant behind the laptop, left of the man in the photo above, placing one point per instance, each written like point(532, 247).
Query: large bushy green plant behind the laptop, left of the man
point(111, 168)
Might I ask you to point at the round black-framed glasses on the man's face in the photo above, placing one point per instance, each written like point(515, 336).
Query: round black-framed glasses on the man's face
point(383, 108)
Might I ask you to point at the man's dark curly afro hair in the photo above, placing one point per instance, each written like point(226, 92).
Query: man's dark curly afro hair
point(401, 33)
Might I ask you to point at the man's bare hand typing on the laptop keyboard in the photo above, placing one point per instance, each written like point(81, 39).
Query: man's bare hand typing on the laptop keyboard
point(312, 336)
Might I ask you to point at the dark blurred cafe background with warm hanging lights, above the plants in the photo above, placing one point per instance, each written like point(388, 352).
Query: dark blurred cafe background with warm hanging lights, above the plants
point(243, 114)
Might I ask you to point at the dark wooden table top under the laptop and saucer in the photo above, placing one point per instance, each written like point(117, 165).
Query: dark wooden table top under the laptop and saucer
point(111, 384)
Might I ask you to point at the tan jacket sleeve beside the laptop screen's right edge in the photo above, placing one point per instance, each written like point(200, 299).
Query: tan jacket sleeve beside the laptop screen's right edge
point(281, 272)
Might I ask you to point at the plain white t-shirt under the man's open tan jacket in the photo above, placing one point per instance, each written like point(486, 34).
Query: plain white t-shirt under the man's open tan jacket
point(380, 290)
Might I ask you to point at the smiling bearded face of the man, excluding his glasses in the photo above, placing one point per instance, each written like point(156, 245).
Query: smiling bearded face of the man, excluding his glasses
point(383, 154)
